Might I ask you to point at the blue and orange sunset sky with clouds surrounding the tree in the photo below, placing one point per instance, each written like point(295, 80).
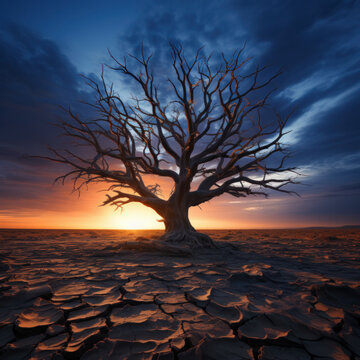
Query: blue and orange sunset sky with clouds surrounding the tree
point(46, 45)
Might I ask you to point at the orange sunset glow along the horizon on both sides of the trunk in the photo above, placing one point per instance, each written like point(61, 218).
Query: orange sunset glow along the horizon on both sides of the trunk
point(59, 209)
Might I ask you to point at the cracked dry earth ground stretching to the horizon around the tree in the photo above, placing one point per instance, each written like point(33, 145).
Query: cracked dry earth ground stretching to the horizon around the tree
point(276, 294)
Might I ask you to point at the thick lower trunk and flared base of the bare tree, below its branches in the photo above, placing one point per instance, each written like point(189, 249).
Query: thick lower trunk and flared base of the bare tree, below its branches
point(179, 231)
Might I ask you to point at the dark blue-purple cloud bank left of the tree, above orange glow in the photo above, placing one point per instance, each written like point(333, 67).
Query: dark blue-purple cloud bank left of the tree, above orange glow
point(36, 78)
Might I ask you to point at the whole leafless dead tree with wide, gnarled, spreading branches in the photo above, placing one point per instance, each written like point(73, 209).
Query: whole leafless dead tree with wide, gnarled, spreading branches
point(210, 139)
